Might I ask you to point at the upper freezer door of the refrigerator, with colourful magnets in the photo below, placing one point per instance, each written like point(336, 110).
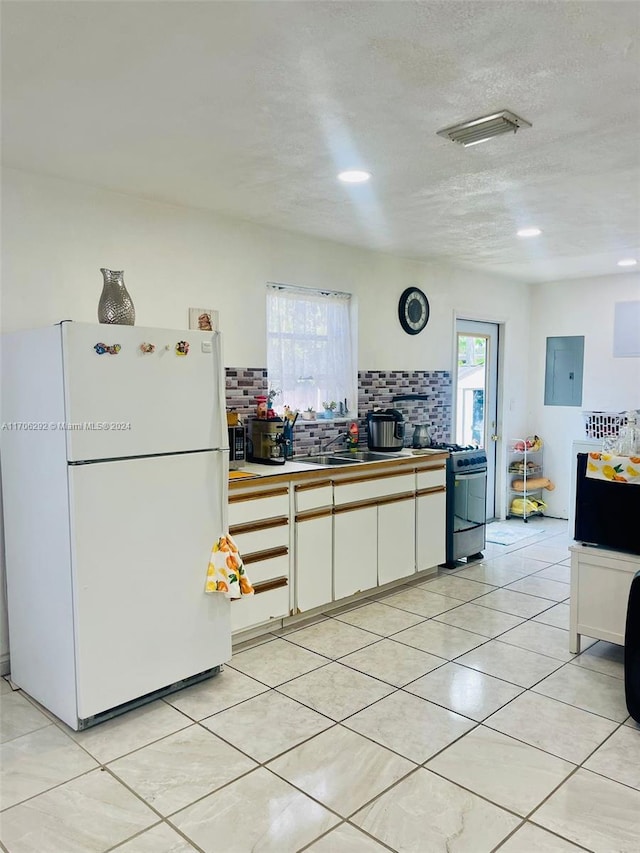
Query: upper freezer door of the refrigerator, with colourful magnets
point(134, 403)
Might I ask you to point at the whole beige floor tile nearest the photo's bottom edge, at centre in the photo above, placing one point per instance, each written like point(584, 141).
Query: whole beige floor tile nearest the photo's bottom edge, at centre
point(341, 769)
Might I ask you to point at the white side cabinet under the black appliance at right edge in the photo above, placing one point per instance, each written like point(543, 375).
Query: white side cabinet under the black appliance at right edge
point(600, 584)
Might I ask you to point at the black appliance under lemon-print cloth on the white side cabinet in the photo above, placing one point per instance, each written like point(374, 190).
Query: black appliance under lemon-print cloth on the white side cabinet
point(607, 513)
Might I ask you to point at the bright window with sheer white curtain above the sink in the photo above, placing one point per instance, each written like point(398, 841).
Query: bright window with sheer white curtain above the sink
point(310, 356)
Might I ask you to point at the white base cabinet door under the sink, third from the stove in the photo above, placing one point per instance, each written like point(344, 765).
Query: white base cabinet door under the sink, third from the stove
point(355, 546)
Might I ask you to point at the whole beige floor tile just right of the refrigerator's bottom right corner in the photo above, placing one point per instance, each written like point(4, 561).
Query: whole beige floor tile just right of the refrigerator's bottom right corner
point(276, 662)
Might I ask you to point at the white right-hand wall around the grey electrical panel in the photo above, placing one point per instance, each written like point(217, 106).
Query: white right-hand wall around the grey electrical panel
point(581, 307)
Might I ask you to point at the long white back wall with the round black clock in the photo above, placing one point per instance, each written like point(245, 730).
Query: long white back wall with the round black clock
point(57, 235)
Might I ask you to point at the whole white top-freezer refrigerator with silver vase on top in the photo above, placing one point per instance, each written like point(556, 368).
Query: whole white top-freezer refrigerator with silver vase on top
point(114, 478)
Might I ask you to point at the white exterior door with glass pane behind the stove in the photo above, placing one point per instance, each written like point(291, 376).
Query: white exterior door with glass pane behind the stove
point(476, 409)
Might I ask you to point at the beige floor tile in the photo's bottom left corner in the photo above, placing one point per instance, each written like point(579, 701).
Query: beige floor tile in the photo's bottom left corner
point(87, 815)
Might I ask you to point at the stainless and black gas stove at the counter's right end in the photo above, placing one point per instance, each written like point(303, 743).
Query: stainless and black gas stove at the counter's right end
point(466, 517)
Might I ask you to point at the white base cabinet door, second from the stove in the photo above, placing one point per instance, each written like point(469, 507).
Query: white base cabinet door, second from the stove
point(396, 539)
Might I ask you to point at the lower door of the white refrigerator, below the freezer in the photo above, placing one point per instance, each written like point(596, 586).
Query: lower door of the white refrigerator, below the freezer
point(142, 531)
